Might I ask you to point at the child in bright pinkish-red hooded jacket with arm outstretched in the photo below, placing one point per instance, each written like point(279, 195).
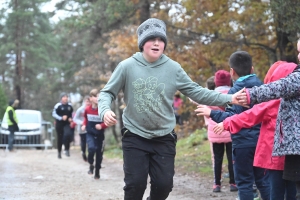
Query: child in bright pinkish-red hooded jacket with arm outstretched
point(266, 113)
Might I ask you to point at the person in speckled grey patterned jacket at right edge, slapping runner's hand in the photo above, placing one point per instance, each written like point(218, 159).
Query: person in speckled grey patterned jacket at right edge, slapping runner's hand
point(287, 132)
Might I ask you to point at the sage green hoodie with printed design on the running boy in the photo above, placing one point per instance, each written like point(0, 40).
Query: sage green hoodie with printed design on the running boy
point(148, 94)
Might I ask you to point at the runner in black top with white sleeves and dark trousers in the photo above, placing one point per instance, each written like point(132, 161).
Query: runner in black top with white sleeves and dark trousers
point(62, 114)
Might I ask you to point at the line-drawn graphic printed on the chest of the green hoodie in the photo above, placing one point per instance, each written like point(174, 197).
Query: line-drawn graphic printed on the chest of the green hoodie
point(148, 94)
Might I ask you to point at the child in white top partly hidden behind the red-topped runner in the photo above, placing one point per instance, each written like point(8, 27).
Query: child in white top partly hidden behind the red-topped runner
point(78, 119)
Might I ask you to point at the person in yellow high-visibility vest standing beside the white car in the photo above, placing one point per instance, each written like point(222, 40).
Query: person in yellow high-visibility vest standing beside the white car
point(12, 122)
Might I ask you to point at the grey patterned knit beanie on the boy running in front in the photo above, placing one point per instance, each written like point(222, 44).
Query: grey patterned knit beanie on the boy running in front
point(151, 28)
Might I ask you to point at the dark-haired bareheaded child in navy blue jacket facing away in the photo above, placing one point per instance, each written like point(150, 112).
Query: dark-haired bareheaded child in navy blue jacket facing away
point(243, 143)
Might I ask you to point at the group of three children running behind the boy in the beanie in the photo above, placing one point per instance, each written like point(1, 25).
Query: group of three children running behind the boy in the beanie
point(90, 129)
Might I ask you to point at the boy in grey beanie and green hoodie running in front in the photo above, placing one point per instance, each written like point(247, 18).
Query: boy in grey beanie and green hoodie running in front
point(149, 80)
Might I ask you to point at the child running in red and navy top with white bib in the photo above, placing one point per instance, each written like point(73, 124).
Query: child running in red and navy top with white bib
point(95, 134)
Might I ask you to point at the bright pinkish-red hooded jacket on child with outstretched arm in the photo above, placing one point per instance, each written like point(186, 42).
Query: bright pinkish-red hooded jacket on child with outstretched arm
point(265, 113)
